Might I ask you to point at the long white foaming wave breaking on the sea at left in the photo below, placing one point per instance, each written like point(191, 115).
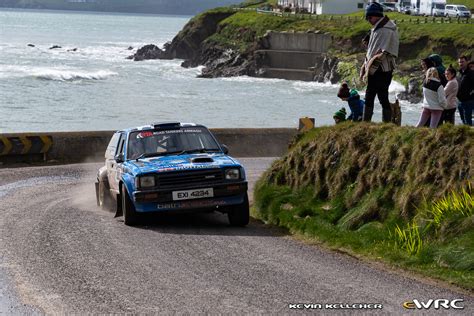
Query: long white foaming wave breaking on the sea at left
point(72, 75)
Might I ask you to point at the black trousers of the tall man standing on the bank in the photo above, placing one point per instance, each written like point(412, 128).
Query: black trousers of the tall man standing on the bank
point(377, 85)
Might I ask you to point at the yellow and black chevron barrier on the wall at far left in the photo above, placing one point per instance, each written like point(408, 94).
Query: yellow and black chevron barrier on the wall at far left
point(25, 144)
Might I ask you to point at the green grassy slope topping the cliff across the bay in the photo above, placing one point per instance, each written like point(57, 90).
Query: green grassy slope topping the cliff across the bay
point(417, 40)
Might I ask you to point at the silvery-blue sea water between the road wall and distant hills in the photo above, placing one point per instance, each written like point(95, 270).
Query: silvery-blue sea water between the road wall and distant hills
point(88, 84)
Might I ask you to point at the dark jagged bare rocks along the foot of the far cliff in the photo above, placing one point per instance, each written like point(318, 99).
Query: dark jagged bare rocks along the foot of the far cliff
point(194, 46)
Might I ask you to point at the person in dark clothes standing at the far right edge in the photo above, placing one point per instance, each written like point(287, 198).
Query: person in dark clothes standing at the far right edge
point(466, 91)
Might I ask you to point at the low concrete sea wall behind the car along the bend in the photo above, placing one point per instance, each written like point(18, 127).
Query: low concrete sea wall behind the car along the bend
point(70, 147)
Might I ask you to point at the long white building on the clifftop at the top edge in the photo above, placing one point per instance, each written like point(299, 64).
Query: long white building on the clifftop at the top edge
point(325, 6)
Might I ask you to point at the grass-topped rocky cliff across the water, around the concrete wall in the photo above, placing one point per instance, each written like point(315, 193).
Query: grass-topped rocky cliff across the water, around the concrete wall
point(226, 41)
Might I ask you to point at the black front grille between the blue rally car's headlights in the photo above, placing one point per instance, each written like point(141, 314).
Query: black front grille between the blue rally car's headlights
point(173, 180)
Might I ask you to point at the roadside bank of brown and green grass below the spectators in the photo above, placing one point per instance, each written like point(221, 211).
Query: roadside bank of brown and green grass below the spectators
point(397, 194)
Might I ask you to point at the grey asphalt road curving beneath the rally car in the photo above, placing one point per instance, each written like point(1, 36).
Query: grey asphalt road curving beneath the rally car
point(60, 254)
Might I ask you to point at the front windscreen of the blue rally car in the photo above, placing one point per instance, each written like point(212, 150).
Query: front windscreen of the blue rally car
point(151, 143)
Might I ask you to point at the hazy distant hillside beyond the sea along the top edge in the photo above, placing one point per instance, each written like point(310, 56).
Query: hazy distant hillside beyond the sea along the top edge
point(185, 7)
